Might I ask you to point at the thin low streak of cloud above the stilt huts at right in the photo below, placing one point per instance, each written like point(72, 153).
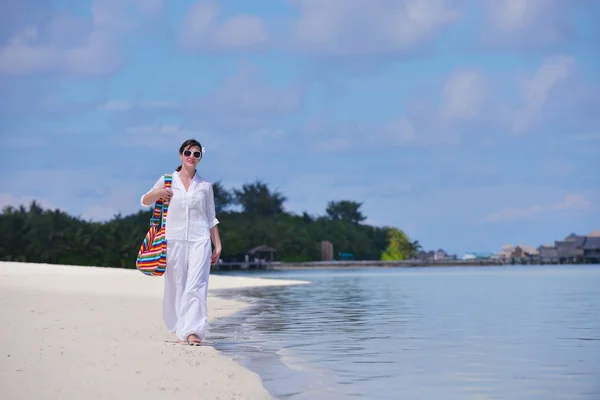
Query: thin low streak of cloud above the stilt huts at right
point(571, 202)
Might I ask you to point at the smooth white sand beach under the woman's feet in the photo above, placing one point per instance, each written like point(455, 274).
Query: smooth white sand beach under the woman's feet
point(97, 333)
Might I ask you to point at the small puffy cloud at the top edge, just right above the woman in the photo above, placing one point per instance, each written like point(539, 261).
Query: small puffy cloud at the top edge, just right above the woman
point(202, 30)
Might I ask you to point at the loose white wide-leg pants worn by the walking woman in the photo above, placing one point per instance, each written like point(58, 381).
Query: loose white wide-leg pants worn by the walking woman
point(186, 287)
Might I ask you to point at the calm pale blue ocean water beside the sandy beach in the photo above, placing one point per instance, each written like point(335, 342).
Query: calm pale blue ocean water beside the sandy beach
point(511, 332)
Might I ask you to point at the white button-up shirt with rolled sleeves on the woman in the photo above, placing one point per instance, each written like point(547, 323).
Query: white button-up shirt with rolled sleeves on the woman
point(191, 213)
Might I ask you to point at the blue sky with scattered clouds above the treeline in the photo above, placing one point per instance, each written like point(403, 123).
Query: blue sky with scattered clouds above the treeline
point(469, 124)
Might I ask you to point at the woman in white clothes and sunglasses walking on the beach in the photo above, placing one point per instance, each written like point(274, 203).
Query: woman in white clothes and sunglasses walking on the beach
point(190, 227)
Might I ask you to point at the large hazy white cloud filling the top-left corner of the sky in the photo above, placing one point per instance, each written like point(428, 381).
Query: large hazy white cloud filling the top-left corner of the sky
point(72, 45)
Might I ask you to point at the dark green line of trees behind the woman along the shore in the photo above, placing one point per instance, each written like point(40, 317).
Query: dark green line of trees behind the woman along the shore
point(249, 216)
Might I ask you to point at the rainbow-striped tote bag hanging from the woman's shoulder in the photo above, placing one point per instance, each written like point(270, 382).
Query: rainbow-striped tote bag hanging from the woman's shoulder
point(152, 256)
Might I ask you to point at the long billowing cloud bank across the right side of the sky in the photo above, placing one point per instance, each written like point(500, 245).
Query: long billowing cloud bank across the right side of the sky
point(472, 106)
